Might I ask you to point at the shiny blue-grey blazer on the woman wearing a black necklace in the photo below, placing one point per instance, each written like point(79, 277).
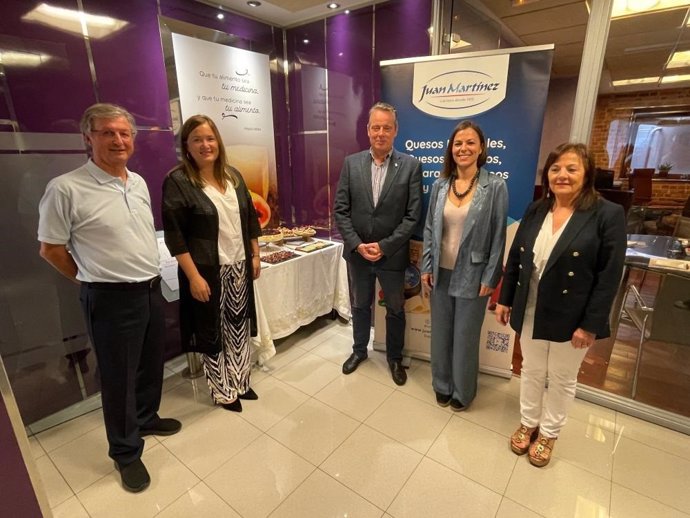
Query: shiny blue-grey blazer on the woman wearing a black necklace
point(480, 258)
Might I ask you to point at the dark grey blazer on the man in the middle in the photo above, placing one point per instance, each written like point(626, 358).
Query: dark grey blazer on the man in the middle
point(391, 222)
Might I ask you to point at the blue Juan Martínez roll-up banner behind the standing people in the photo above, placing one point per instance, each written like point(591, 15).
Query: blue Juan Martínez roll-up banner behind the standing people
point(504, 92)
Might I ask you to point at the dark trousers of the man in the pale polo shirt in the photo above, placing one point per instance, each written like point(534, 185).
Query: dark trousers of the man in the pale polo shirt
point(126, 324)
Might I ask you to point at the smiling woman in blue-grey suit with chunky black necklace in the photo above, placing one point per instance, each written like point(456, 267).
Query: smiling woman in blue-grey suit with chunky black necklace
point(464, 240)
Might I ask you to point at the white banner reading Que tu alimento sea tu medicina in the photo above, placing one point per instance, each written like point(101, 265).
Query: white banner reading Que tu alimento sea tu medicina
point(233, 87)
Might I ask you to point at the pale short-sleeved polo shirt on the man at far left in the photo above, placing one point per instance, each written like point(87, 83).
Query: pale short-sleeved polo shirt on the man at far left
point(106, 225)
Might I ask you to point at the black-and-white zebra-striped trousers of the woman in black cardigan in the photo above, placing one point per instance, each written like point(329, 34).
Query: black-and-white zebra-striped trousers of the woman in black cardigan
point(228, 372)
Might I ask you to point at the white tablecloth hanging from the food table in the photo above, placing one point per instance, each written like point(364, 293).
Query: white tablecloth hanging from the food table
point(294, 293)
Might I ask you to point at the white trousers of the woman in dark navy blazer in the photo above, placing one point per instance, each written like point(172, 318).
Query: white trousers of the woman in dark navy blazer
point(560, 362)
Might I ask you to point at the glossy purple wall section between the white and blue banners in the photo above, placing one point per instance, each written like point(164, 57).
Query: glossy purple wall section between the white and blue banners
point(334, 80)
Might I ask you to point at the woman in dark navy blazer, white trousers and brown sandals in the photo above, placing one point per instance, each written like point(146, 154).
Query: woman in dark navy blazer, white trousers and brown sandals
point(562, 274)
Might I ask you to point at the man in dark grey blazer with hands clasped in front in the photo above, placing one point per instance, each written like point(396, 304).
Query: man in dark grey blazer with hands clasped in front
point(377, 207)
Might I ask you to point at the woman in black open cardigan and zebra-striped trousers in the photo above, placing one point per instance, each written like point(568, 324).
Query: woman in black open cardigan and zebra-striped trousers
point(211, 228)
